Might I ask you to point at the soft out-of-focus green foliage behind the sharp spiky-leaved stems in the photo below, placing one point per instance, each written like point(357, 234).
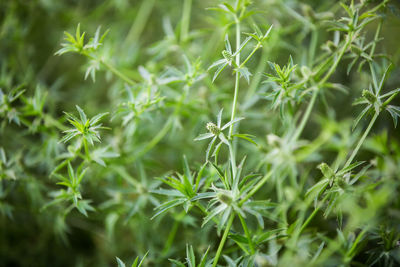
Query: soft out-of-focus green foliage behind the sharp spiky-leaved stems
point(151, 34)
